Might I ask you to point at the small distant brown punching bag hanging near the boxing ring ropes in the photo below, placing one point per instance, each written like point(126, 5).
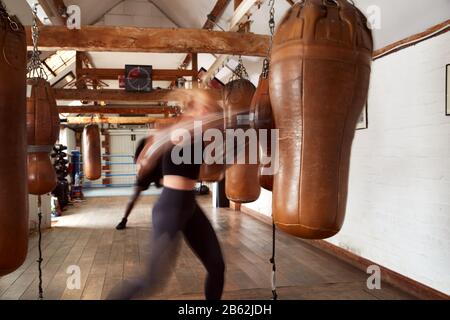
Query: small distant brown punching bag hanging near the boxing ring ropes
point(92, 162)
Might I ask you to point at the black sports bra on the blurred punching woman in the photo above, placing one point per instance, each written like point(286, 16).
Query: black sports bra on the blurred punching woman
point(178, 165)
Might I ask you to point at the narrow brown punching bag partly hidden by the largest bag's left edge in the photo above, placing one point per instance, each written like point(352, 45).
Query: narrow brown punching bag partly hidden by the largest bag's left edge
point(263, 120)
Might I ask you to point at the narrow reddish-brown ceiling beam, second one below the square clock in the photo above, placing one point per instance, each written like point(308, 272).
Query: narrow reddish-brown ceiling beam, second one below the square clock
point(117, 110)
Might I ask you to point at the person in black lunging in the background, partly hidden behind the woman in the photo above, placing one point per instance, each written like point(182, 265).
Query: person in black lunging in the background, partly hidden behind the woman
point(142, 185)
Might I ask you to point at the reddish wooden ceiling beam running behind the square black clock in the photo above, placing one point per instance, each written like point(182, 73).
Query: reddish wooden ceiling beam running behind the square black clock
point(157, 74)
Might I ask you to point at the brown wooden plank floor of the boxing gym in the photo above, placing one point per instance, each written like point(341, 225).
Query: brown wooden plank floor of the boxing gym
point(85, 236)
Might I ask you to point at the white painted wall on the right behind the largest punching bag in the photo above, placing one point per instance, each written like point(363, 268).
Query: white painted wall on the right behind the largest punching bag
point(398, 212)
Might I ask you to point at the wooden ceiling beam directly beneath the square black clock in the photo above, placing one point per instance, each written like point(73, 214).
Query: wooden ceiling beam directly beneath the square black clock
point(162, 95)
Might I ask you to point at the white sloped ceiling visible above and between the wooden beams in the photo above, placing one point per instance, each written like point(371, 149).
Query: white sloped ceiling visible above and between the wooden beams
point(399, 19)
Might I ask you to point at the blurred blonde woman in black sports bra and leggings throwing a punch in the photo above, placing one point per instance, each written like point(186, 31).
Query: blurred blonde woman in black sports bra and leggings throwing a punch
point(176, 212)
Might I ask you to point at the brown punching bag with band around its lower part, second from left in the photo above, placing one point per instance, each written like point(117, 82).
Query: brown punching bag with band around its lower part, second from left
point(42, 134)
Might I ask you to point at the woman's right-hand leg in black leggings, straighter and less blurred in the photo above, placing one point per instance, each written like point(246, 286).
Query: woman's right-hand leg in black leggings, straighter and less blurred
point(202, 239)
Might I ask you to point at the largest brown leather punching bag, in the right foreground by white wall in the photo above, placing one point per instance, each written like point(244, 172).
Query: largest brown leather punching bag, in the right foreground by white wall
point(319, 78)
